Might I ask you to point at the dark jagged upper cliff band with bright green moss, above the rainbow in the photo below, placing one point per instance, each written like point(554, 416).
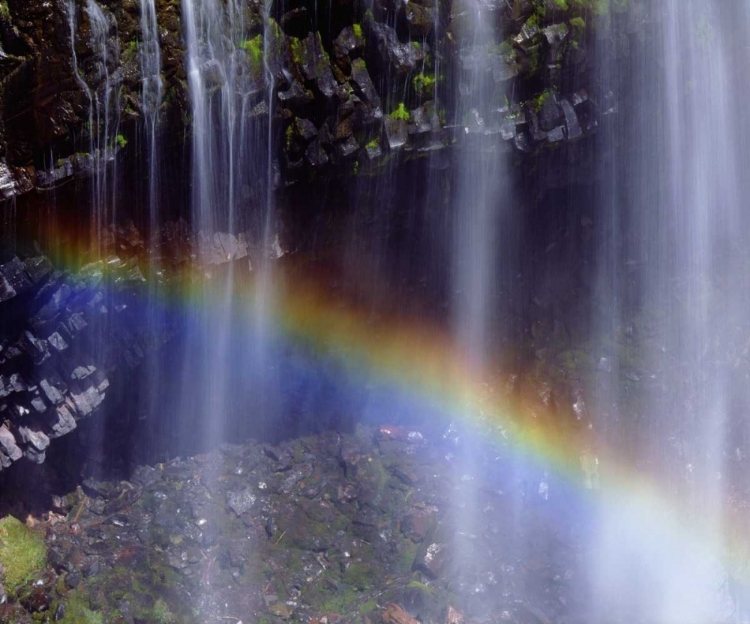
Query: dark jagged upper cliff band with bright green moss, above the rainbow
point(346, 97)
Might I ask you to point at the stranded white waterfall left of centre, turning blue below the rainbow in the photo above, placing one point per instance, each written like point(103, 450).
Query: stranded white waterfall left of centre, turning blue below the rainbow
point(231, 203)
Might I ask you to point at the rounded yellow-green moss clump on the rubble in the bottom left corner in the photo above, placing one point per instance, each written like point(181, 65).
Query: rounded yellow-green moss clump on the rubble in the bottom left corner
point(22, 551)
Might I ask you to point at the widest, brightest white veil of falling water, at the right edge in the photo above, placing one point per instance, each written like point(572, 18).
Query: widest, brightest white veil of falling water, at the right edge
point(680, 261)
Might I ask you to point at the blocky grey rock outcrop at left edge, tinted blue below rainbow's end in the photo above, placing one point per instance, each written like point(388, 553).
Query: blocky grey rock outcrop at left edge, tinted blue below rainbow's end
point(55, 366)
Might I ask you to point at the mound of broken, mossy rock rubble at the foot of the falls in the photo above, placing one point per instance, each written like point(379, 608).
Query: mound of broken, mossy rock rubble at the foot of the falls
point(358, 527)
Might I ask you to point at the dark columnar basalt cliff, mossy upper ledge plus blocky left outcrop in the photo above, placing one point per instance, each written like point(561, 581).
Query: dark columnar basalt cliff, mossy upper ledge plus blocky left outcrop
point(350, 92)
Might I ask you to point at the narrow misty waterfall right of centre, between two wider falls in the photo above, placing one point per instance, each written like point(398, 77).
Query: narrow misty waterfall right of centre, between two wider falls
point(479, 201)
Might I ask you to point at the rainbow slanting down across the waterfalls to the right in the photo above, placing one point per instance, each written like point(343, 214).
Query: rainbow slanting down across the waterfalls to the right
point(420, 358)
